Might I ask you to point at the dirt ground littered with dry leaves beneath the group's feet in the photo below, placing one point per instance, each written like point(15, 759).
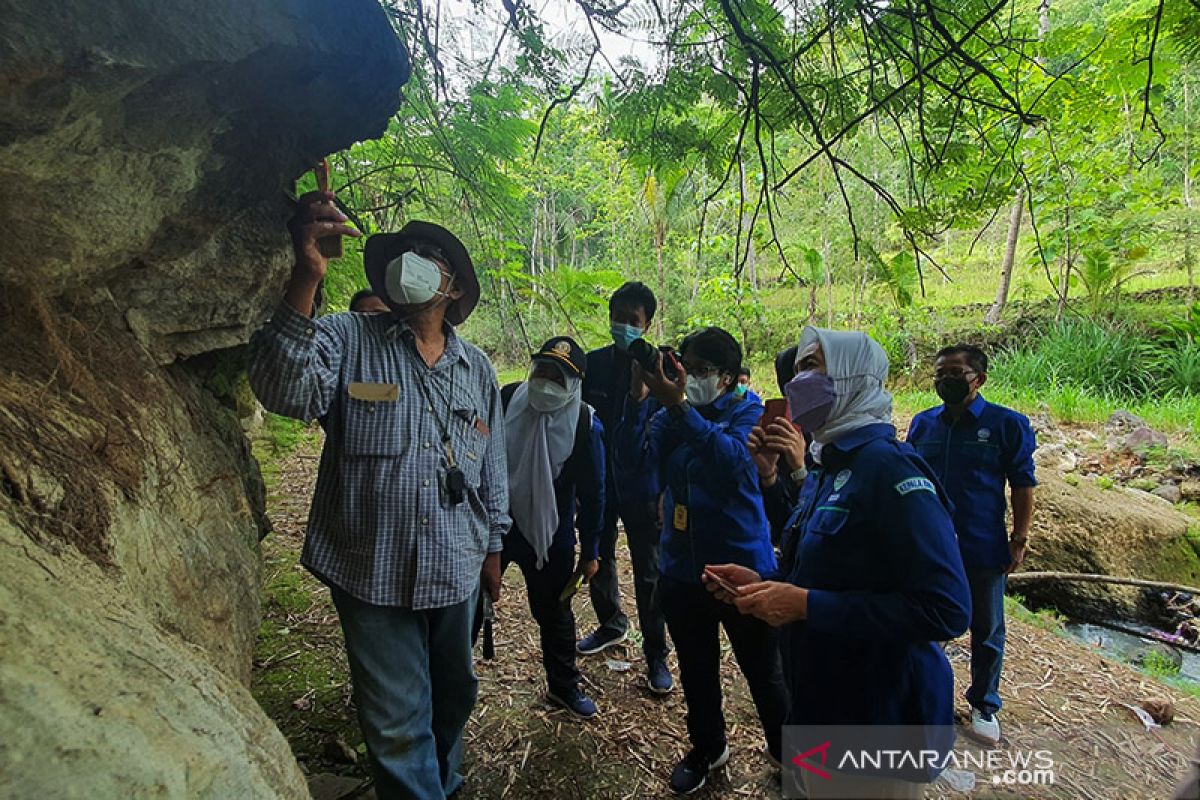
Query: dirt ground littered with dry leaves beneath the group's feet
point(1059, 696)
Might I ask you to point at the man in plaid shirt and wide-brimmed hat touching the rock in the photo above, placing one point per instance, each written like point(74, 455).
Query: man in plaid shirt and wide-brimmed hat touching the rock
point(411, 506)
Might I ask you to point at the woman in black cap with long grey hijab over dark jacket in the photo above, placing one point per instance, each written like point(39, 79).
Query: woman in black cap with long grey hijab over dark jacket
point(556, 485)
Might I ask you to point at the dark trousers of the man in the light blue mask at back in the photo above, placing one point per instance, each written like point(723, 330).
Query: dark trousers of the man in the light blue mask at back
point(643, 533)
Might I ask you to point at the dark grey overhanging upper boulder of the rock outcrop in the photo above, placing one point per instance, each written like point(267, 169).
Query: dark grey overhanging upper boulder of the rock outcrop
point(146, 149)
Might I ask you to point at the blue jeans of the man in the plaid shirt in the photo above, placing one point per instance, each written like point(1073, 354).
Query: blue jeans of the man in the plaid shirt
point(415, 689)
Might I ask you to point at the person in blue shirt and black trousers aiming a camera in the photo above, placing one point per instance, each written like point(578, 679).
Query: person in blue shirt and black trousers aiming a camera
point(712, 514)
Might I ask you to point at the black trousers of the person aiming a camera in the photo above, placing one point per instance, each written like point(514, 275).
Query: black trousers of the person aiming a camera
point(695, 619)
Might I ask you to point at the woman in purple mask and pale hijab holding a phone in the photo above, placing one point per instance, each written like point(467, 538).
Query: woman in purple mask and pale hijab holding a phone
point(871, 579)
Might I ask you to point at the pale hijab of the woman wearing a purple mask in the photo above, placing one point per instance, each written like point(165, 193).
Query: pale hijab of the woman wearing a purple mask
point(859, 368)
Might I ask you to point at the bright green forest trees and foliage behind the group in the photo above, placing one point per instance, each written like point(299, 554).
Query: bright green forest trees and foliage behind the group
point(859, 153)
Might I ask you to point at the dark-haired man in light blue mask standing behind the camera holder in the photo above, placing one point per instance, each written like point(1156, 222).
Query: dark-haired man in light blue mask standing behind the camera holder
point(633, 494)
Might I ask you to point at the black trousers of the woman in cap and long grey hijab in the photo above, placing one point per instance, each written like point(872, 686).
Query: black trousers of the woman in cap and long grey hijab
point(555, 618)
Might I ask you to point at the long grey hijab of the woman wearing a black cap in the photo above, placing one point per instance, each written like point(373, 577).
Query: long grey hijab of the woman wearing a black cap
point(538, 447)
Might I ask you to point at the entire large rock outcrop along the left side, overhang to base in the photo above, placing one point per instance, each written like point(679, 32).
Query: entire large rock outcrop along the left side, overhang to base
point(147, 152)
